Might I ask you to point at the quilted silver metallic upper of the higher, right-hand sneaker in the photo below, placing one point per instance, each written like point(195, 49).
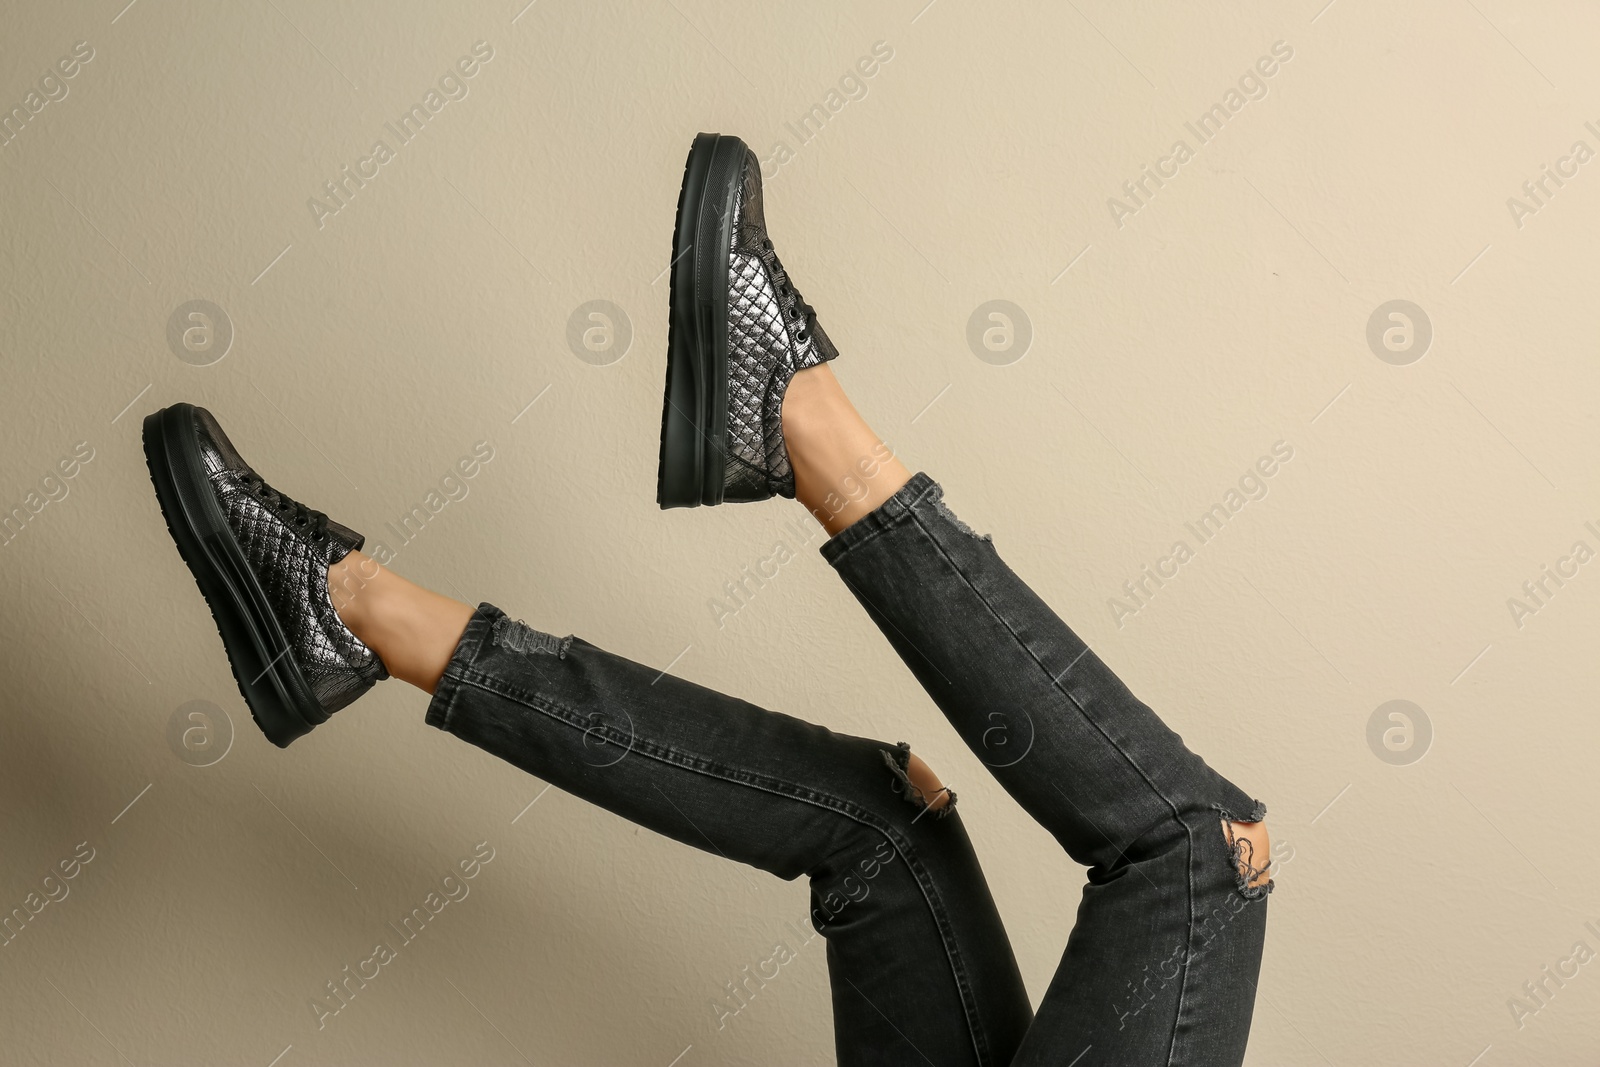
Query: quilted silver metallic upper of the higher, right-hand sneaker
point(772, 334)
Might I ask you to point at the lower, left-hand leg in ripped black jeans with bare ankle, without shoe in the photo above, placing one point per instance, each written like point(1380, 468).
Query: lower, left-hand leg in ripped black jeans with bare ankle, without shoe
point(919, 962)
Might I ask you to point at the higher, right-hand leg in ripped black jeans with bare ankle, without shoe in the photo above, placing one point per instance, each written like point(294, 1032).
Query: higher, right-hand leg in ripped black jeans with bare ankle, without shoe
point(1162, 964)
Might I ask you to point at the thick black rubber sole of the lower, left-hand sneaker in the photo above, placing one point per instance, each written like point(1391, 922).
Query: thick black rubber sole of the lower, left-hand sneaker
point(271, 682)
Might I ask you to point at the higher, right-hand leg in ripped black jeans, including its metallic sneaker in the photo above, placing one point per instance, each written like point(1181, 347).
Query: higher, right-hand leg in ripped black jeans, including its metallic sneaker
point(1161, 965)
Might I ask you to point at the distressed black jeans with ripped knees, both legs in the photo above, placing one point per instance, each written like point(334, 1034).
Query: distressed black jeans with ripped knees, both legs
point(1162, 964)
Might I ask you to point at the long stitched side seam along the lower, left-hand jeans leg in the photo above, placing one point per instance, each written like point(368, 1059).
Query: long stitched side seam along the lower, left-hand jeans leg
point(666, 754)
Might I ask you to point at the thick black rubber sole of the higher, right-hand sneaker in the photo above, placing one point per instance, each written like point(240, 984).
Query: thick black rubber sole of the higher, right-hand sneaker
point(695, 412)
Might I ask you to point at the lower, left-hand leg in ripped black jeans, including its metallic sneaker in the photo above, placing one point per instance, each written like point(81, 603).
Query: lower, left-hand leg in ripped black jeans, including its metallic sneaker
point(919, 962)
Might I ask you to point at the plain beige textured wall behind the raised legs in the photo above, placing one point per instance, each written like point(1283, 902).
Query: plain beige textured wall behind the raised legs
point(1226, 316)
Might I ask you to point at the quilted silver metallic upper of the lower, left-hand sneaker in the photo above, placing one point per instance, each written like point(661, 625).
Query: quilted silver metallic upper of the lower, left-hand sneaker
point(289, 549)
